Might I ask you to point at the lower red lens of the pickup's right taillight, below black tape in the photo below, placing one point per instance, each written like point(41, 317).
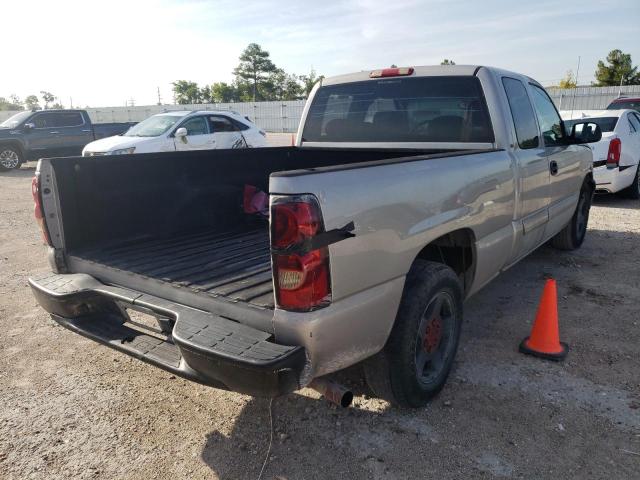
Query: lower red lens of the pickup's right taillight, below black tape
point(302, 280)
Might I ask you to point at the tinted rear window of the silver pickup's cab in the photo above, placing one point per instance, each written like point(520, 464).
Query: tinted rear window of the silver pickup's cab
point(400, 109)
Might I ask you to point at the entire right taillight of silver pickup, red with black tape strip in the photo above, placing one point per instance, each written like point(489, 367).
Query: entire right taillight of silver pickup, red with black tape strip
point(302, 275)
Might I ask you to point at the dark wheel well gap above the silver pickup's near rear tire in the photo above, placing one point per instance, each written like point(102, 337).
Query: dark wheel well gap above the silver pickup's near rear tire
point(456, 250)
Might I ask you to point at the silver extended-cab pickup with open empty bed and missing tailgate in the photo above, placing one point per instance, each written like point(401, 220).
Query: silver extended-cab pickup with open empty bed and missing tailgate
point(409, 189)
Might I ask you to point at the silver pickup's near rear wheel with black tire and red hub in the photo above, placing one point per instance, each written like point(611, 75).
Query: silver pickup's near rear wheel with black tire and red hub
point(416, 361)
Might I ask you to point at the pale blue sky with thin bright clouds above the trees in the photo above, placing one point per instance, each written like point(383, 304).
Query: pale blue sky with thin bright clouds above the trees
point(107, 53)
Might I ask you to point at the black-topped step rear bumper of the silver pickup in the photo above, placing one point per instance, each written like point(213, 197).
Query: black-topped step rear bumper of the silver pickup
point(199, 346)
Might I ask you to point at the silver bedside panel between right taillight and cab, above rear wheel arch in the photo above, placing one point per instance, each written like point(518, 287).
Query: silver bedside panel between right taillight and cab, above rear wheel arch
point(399, 208)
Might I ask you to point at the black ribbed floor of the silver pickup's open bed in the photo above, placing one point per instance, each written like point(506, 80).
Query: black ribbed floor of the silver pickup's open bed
point(233, 264)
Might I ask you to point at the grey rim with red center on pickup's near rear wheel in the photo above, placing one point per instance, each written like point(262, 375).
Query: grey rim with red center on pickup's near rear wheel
point(434, 342)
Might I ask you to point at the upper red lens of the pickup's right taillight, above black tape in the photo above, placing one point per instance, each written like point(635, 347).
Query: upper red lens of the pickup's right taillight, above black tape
point(293, 222)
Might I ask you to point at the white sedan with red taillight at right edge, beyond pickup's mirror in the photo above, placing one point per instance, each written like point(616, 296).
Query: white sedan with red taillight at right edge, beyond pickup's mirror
point(616, 157)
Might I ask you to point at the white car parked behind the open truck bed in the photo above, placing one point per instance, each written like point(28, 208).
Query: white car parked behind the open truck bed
point(183, 130)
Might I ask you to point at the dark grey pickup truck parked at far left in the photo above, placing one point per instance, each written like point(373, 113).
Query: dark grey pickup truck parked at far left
point(50, 133)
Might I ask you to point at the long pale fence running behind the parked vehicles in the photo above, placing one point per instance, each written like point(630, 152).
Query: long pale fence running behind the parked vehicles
point(283, 117)
